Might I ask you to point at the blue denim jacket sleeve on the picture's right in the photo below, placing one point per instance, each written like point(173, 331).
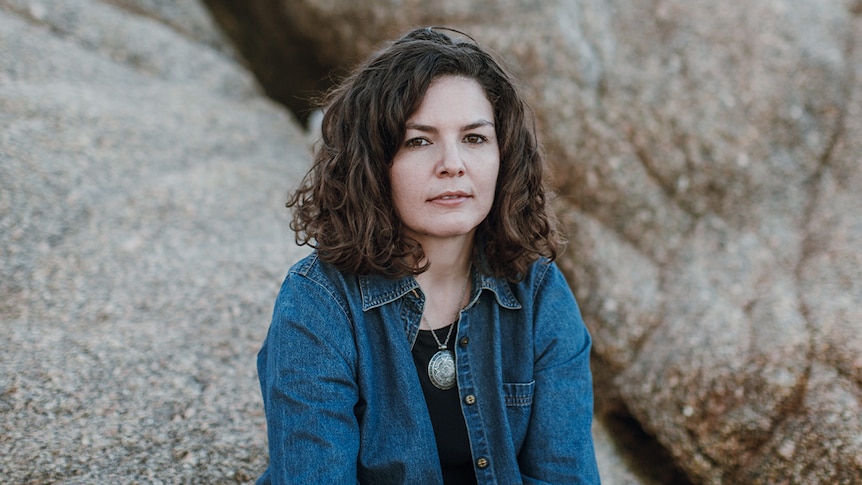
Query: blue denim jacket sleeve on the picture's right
point(559, 447)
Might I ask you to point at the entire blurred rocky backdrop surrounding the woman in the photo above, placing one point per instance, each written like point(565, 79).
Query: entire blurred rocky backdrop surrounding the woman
point(707, 156)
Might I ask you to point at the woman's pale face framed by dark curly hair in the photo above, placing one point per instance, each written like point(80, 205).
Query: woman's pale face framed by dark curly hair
point(445, 172)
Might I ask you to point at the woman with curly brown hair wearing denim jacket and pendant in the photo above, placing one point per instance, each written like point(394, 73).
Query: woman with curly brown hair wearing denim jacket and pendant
point(429, 338)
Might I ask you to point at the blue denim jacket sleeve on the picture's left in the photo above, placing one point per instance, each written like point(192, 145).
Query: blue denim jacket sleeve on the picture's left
point(308, 380)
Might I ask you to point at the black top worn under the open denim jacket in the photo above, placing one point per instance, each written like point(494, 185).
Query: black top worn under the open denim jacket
point(444, 407)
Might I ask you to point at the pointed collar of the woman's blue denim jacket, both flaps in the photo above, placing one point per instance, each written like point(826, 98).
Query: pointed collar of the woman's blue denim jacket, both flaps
point(378, 290)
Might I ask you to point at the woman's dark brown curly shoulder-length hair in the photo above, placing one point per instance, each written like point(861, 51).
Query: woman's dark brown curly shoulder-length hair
point(344, 206)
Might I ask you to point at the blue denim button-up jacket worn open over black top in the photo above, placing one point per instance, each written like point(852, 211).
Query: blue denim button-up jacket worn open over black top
point(343, 401)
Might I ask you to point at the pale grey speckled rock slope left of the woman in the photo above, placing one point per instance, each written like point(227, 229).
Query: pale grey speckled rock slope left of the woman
point(143, 237)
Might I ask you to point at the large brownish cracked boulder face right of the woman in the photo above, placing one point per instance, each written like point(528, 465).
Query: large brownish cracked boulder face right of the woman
point(708, 160)
